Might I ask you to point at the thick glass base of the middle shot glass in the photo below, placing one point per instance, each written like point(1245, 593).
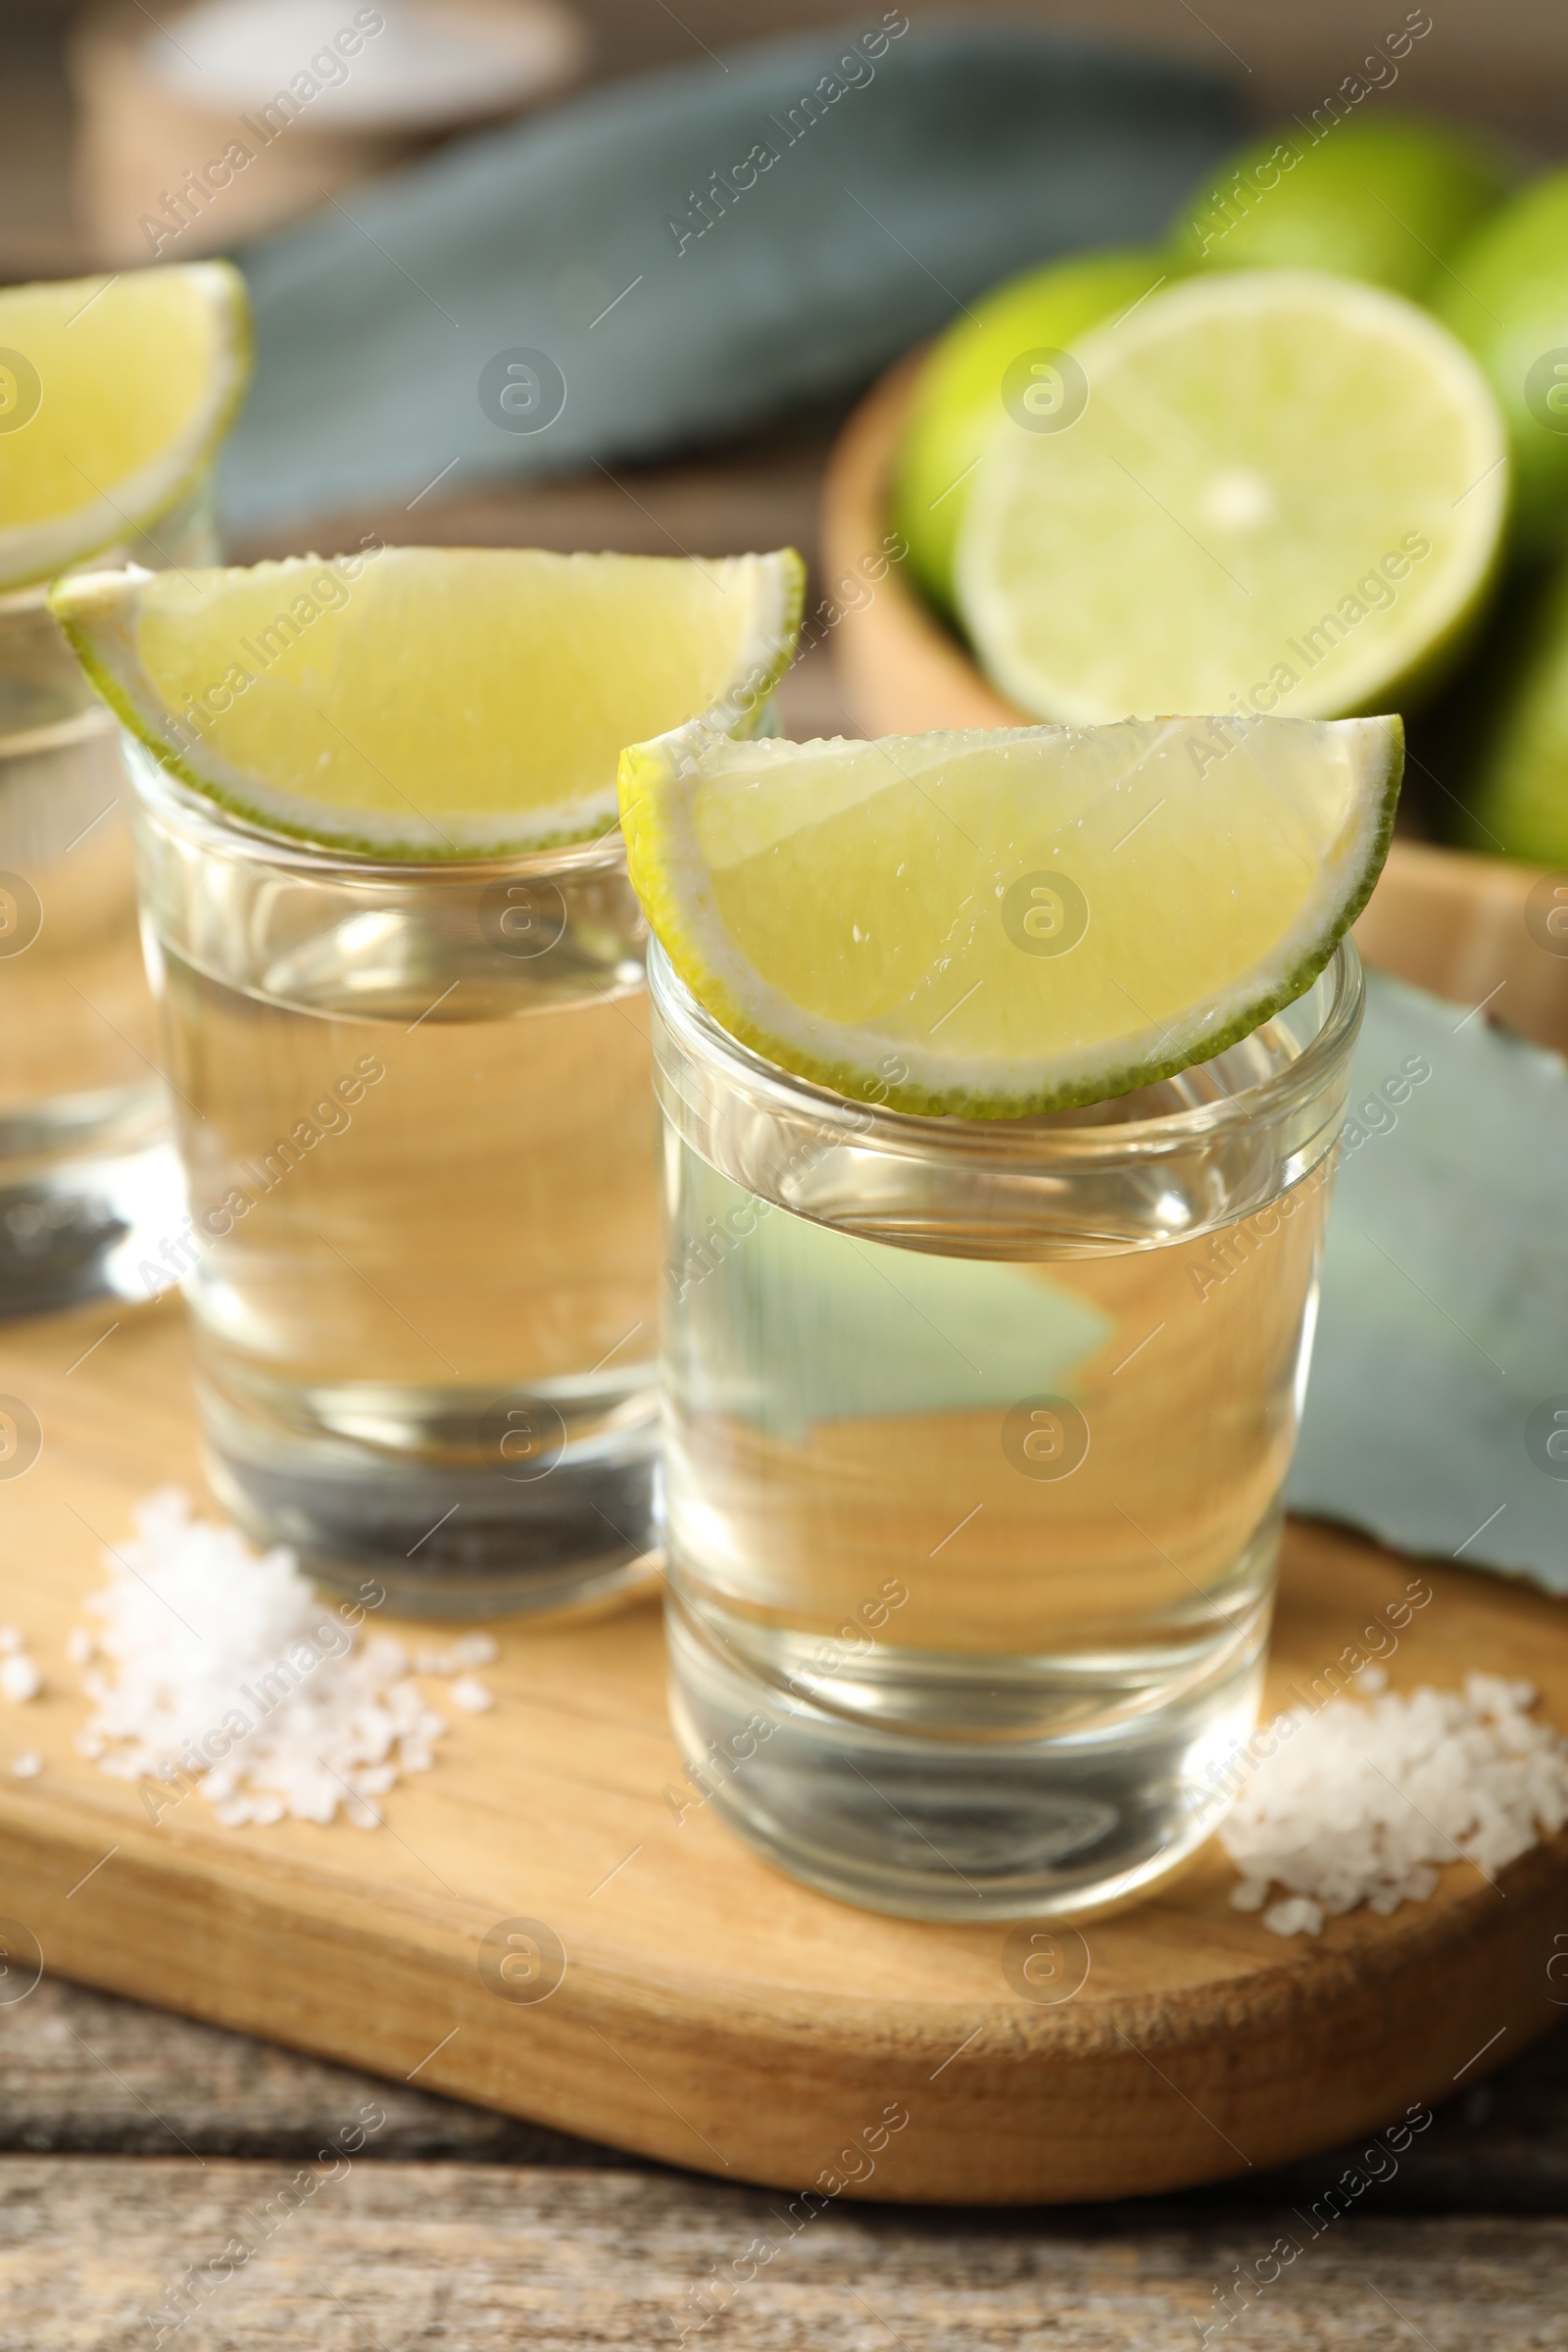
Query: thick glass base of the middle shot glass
point(431, 1523)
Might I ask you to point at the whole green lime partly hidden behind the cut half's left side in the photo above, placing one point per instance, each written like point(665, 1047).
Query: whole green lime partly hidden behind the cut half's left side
point(1012, 333)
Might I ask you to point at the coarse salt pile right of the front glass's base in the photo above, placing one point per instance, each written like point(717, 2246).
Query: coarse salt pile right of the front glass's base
point(1367, 1803)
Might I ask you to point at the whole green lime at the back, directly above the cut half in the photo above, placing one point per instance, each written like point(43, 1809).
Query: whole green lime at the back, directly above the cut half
point(1365, 196)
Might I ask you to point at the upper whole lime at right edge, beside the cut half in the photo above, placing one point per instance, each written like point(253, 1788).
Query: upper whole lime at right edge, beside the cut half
point(1508, 298)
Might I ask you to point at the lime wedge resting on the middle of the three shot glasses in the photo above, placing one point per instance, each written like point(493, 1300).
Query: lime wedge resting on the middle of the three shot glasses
point(429, 702)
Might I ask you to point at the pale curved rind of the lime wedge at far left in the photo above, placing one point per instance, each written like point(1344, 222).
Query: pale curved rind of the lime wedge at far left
point(39, 552)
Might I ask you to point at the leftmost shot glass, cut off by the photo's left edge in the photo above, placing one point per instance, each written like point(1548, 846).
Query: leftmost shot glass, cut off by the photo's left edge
point(88, 1172)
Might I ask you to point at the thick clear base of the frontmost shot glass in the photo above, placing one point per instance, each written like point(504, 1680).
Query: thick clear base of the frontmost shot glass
point(951, 1829)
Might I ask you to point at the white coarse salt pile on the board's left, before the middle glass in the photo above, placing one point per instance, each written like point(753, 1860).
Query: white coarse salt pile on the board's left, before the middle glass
point(225, 1671)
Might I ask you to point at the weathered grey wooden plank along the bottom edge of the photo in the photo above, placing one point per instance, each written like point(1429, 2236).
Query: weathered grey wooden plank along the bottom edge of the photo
point(398, 2257)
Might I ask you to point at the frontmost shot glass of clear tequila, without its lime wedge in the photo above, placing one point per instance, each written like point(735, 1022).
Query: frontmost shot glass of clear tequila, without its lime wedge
point(974, 1455)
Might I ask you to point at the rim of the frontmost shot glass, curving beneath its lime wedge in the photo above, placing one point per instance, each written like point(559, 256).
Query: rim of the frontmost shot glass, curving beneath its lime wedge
point(1024, 1140)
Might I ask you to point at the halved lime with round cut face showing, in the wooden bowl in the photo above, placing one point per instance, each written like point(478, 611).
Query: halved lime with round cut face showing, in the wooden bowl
point(1282, 493)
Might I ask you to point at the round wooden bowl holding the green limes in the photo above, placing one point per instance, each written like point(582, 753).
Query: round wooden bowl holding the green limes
point(1470, 928)
